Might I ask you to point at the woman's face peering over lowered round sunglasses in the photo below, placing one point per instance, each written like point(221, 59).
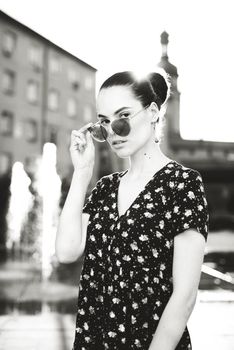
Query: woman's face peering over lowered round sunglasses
point(116, 102)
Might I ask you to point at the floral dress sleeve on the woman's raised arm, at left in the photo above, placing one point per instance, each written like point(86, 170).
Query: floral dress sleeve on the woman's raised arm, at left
point(95, 198)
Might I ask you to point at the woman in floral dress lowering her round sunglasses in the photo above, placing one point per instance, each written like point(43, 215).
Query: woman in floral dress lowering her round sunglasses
point(143, 230)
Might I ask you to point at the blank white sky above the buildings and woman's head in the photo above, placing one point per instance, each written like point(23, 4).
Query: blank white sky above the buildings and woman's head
point(125, 34)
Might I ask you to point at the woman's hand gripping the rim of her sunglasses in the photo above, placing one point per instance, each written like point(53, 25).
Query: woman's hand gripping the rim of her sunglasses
point(82, 149)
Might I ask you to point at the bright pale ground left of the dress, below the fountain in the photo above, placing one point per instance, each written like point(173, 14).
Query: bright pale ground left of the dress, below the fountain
point(49, 331)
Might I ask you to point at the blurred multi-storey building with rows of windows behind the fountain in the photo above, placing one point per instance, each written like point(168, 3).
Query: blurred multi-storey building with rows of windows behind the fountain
point(45, 93)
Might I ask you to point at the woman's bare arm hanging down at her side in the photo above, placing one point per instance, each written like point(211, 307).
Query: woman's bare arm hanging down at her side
point(187, 261)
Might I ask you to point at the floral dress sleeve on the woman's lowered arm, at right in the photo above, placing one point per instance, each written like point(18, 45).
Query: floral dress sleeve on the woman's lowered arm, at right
point(190, 208)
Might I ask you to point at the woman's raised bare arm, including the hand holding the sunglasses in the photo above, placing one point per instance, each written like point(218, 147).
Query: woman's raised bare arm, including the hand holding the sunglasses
point(72, 226)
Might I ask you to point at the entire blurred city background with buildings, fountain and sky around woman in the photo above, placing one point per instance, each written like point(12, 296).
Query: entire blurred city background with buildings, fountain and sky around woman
point(53, 57)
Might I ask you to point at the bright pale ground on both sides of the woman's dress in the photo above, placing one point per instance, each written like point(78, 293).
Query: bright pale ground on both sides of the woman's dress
point(211, 327)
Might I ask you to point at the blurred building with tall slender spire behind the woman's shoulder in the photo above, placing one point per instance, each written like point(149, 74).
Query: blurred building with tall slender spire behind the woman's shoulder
point(214, 160)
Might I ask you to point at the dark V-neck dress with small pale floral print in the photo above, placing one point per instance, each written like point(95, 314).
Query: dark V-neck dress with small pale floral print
point(126, 279)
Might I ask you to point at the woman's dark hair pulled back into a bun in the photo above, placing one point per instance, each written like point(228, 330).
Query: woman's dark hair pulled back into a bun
point(154, 87)
